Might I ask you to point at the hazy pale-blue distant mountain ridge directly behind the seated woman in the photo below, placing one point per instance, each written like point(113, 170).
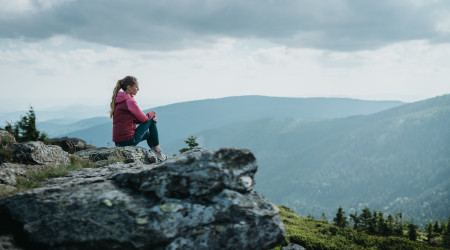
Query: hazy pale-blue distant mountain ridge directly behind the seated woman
point(180, 120)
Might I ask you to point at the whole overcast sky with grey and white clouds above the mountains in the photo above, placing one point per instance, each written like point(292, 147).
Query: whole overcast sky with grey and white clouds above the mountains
point(56, 53)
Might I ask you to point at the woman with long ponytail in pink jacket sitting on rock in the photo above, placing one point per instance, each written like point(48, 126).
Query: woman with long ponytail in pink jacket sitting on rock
point(126, 114)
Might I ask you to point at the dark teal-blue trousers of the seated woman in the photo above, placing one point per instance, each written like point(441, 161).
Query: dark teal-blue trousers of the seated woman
point(145, 131)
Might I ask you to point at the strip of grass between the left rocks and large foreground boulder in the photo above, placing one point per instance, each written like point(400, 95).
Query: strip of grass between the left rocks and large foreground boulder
point(35, 178)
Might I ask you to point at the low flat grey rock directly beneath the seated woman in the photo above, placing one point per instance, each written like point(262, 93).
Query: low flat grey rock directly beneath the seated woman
point(104, 156)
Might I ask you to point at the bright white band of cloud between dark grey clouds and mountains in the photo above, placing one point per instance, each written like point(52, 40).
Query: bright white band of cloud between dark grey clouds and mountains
point(42, 75)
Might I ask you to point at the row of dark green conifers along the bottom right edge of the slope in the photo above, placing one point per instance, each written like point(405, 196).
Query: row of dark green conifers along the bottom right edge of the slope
point(376, 223)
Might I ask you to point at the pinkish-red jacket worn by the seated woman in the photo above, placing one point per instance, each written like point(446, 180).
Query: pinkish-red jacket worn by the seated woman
point(126, 115)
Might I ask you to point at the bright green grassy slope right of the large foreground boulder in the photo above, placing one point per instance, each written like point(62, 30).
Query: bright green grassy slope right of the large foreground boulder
point(314, 234)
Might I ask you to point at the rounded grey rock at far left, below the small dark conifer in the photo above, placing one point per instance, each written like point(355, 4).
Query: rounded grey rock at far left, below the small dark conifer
point(37, 153)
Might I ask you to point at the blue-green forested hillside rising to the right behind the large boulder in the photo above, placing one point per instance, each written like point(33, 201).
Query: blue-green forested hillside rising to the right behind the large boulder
point(394, 160)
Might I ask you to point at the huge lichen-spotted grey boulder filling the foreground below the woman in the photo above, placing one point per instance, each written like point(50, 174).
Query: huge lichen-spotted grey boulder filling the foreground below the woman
point(198, 200)
